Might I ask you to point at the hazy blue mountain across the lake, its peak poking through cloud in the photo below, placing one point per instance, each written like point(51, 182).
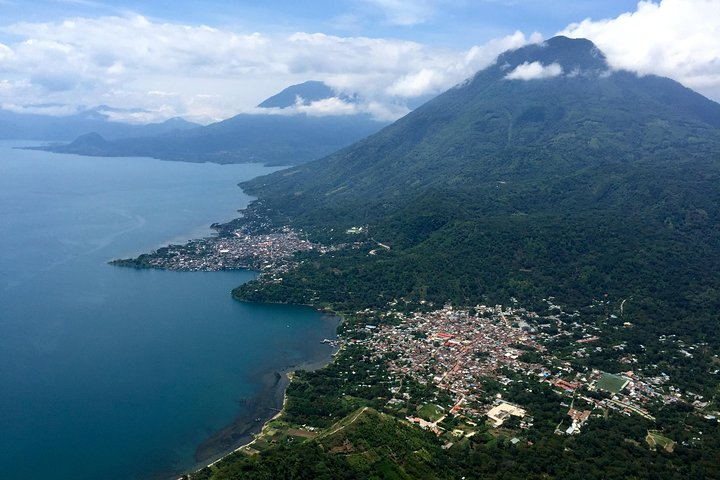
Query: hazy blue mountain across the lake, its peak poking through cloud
point(274, 138)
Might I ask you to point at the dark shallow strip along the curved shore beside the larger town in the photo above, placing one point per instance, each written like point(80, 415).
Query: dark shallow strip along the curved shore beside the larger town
point(267, 405)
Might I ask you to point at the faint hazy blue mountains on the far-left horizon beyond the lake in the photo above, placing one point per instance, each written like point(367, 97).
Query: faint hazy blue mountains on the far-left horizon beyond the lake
point(23, 126)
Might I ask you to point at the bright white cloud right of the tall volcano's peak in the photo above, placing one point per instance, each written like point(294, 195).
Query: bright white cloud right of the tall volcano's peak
point(673, 38)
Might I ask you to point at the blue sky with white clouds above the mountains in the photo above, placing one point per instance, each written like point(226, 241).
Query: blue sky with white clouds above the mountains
point(209, 60)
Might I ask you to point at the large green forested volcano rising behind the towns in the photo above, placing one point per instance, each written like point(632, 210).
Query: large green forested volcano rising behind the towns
point(545, 174)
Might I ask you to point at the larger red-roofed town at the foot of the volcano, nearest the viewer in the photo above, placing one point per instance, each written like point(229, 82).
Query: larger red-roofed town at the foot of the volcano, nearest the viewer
point(473, 359)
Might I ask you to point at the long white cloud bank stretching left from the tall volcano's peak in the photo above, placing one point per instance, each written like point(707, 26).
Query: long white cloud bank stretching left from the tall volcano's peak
point(214, 73)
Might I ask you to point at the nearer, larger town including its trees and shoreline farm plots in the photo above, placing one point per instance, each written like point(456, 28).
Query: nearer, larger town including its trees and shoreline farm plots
point(460, 372)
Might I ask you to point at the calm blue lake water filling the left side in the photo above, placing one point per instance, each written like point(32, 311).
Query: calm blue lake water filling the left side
point(114, 373)
